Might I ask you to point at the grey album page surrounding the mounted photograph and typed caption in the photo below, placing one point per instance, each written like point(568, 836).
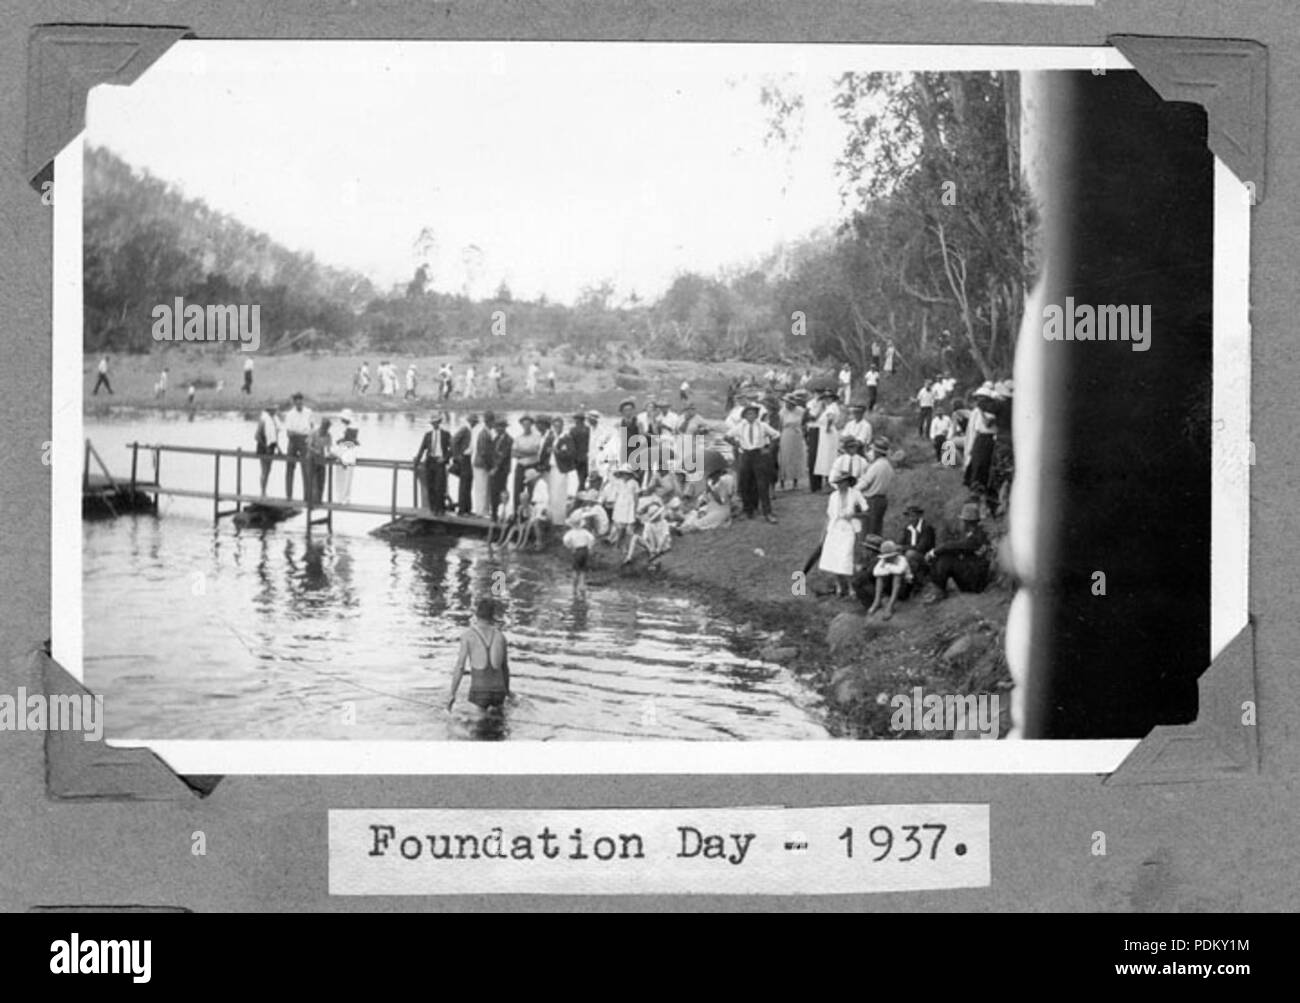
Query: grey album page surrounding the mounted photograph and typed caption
point(101, 828)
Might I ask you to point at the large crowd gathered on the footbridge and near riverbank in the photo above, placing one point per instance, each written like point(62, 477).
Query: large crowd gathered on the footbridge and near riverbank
point(656, 472)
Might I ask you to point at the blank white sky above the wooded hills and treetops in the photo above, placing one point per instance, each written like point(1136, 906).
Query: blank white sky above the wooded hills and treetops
point(565, 164)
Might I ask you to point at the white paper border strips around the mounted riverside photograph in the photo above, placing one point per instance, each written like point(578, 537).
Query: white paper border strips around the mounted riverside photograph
point(1229, 548)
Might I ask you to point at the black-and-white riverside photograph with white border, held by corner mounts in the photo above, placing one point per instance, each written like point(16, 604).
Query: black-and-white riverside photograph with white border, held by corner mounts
point(814, 397)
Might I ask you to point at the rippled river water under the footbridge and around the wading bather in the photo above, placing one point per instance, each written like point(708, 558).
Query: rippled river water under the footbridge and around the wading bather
point(194, 632)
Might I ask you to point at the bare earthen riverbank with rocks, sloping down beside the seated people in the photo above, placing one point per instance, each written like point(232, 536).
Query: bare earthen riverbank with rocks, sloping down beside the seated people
point(955, 646)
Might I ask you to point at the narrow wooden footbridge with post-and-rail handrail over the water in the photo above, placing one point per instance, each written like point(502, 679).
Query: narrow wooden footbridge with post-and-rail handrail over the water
point(102, 492)
